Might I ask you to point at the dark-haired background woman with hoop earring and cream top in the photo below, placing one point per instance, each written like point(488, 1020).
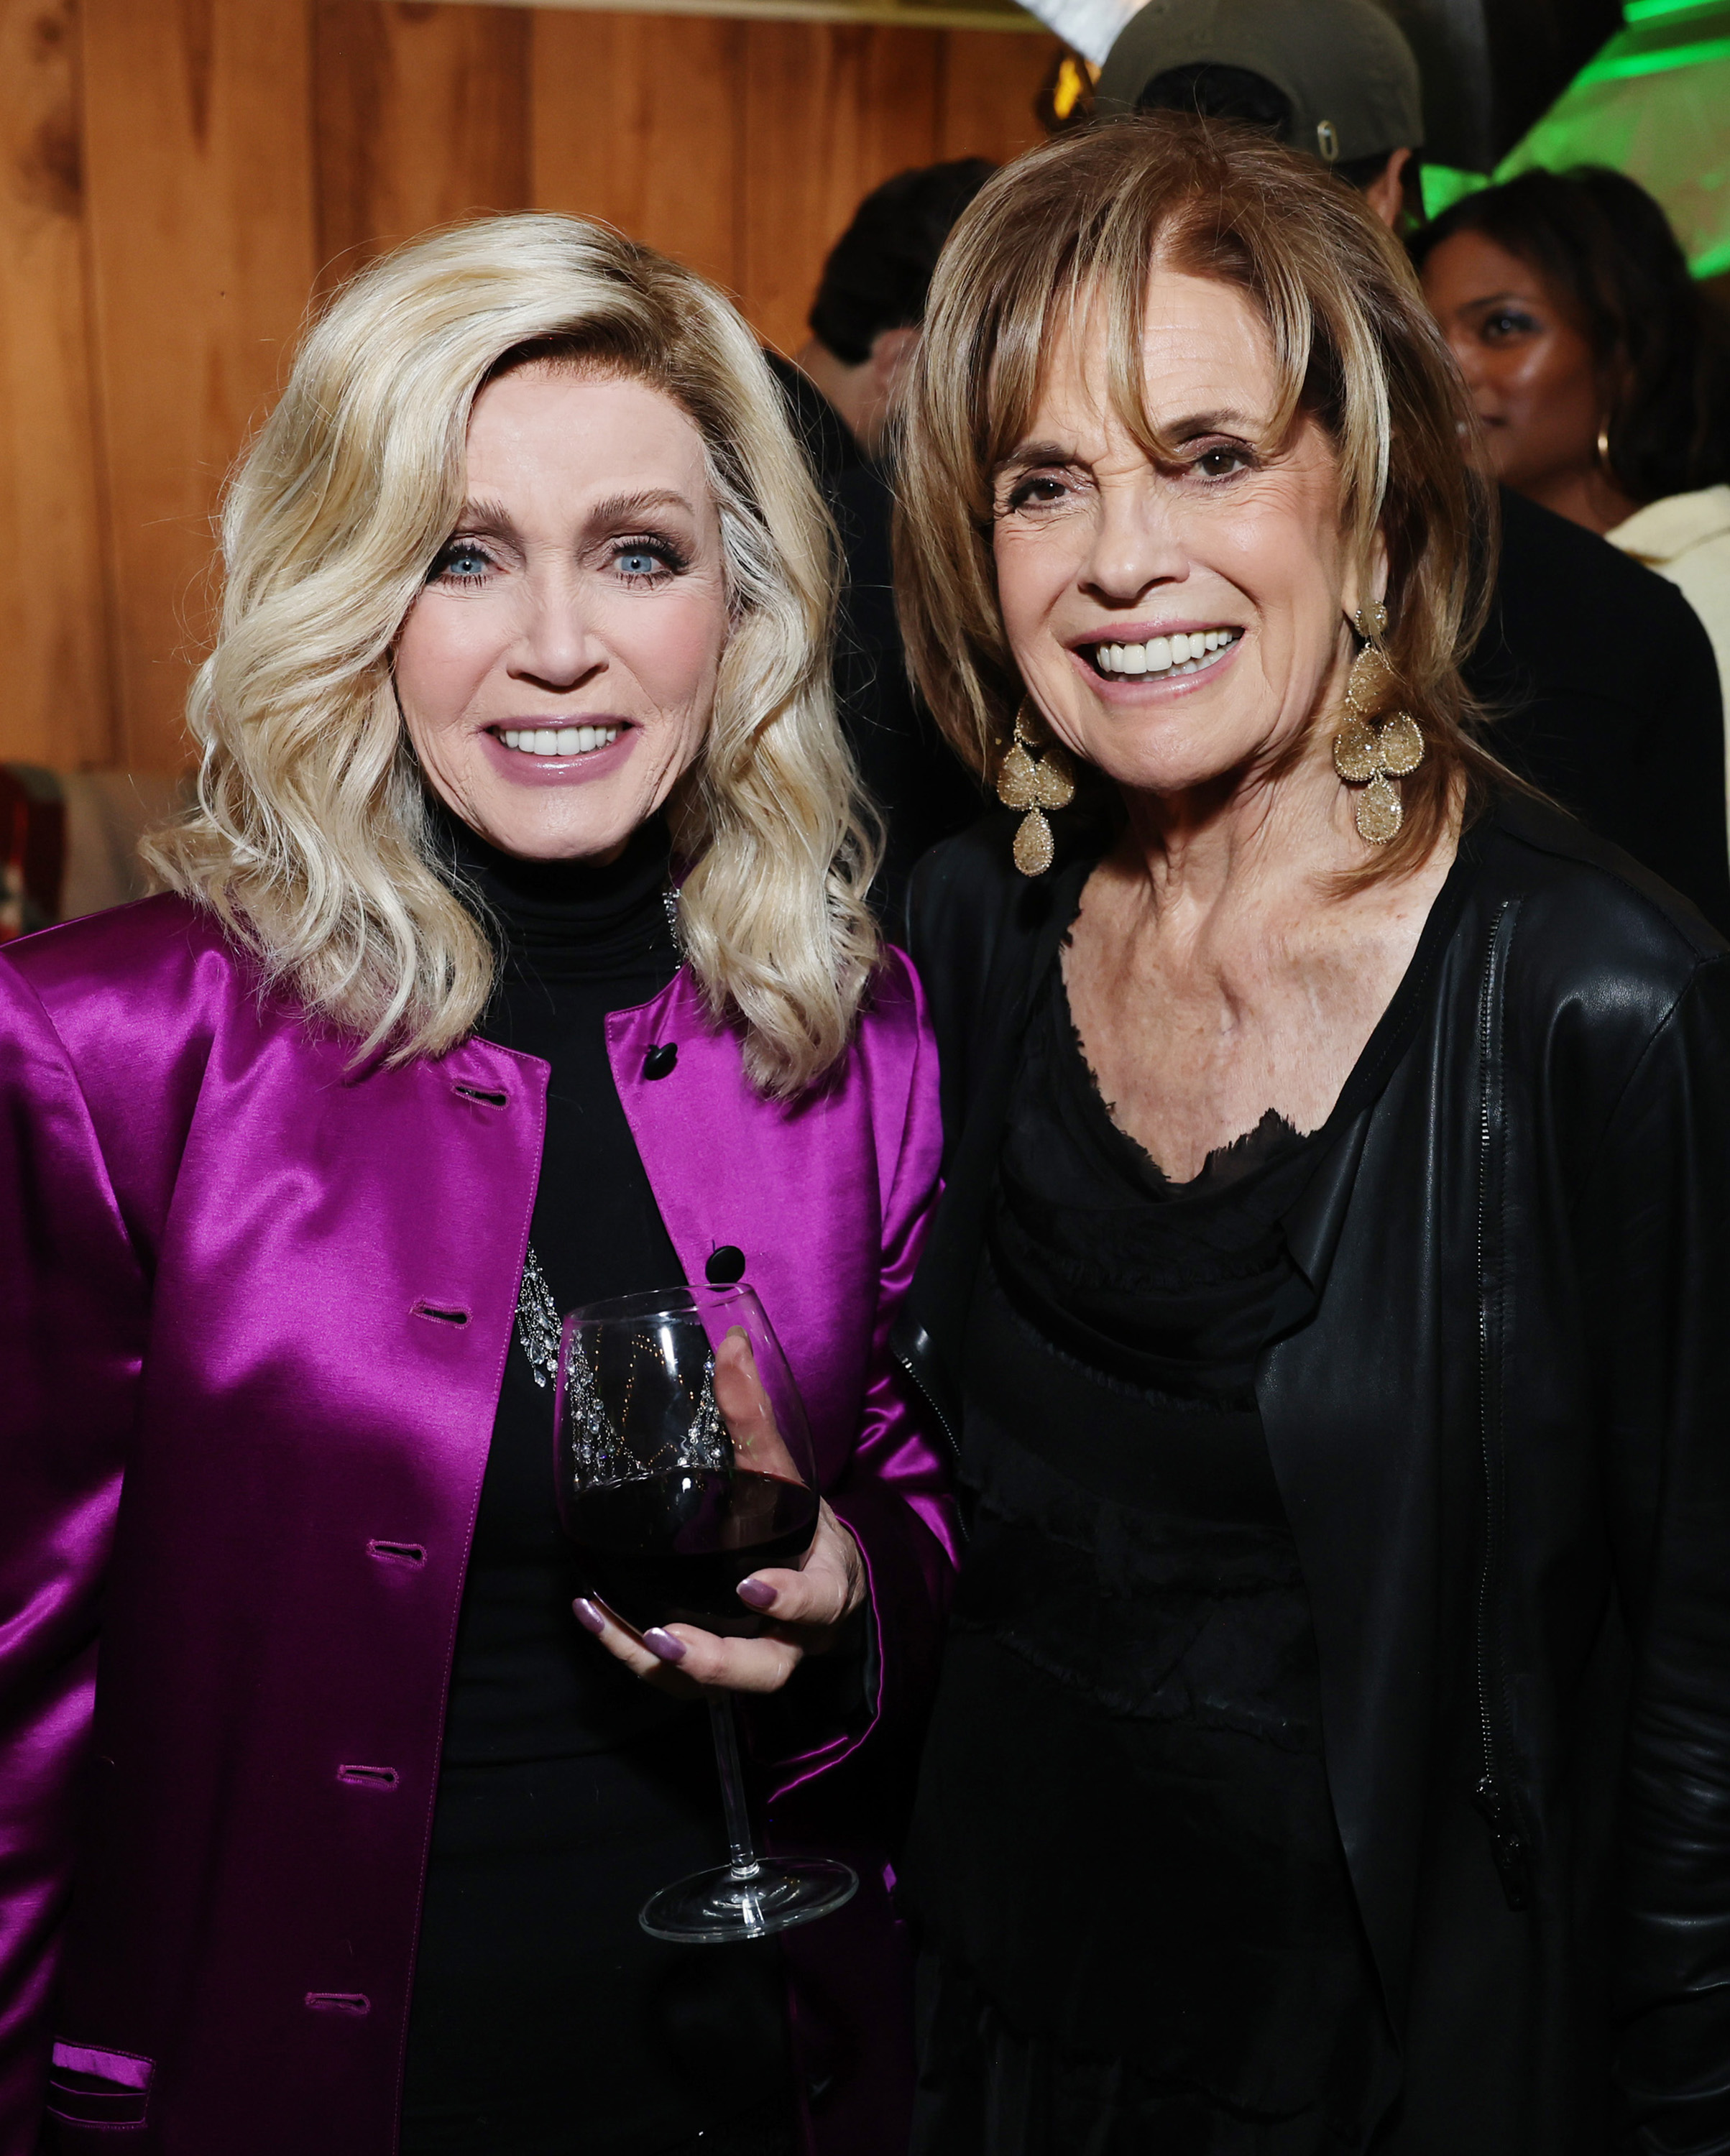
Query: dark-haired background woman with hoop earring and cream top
point(1599, 368)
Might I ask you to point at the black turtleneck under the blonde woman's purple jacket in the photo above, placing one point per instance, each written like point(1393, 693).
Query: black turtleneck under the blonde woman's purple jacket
point(545, 2019)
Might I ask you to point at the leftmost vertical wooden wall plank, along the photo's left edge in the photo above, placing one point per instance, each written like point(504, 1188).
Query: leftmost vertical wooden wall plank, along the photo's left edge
point(57, 704)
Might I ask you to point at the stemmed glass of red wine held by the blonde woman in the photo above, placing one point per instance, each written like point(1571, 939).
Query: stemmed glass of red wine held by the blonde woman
point(685, 1465)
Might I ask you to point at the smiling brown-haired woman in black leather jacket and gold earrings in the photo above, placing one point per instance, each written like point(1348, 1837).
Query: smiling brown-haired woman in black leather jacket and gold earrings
point(1334, 1739)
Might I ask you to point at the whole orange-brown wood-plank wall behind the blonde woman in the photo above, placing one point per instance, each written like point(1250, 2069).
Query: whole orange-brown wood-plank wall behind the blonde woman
point(180, 176)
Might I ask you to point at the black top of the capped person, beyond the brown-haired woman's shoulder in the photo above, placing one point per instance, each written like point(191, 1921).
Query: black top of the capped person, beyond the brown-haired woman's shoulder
point(1606, 695)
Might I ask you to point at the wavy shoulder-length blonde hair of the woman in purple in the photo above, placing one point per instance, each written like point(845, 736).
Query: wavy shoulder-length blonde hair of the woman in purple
point(312, 833)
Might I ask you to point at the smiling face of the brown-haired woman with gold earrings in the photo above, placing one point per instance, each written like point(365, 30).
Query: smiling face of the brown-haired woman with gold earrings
point(1177, 622)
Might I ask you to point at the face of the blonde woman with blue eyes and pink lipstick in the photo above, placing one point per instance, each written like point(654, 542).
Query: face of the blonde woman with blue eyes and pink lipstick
point(558, 672)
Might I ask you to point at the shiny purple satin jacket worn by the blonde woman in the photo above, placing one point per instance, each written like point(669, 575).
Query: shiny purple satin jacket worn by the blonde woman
point(253, 1318)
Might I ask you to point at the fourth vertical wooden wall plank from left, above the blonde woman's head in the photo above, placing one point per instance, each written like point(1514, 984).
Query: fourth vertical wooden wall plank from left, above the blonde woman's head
point(640, 122)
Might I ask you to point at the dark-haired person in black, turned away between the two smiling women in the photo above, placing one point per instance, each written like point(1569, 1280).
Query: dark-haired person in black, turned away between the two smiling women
point(864, 331)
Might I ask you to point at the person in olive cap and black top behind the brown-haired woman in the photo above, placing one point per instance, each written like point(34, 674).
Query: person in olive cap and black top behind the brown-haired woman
point(1625, 730)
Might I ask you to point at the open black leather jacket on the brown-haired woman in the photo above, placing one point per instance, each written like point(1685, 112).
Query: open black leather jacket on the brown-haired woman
point(1505, 1450)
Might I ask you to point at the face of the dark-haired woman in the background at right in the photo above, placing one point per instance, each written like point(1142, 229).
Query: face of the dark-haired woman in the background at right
point(1526, 361)
